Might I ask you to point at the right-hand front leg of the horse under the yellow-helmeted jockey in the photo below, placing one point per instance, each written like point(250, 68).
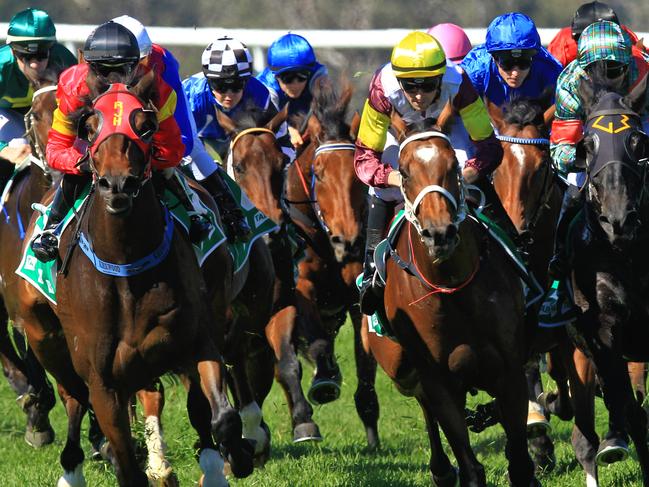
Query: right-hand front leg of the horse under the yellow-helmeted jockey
point(511, 403)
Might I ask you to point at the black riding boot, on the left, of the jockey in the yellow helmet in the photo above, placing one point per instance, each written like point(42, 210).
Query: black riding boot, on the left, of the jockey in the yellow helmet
point(377, 219)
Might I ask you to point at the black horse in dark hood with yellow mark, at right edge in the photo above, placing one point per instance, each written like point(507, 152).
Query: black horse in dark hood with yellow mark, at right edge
point(611, 266)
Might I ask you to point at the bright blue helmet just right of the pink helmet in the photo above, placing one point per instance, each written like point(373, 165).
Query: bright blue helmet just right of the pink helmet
point(512, 31)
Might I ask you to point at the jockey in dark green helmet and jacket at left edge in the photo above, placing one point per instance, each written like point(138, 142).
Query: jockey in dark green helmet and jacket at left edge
point(31, 50)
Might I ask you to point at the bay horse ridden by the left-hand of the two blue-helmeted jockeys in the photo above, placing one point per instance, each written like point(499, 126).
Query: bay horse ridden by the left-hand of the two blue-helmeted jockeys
point(327, 202)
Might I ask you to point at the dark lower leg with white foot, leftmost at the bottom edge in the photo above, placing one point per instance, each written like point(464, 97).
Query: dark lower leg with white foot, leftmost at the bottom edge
point(72, 455)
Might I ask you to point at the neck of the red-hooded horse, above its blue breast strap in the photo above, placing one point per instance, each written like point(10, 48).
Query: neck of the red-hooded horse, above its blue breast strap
point(124, 239)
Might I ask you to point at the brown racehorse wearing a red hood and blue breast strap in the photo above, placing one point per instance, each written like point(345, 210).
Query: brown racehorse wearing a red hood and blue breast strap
point(111, 335)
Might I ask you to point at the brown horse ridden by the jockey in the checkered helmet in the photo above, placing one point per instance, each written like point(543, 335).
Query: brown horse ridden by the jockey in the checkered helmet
point(257, 163)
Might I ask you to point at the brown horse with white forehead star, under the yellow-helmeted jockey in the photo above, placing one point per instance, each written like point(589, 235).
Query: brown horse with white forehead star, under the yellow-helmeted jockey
point(457, 314)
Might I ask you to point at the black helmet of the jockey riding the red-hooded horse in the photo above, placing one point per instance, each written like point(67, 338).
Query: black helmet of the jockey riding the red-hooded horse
point(111, 43)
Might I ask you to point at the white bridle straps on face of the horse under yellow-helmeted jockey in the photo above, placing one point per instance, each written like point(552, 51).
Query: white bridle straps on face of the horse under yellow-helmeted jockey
point(410, 208)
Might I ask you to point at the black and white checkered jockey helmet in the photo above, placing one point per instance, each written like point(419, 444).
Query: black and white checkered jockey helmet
point(227, 58)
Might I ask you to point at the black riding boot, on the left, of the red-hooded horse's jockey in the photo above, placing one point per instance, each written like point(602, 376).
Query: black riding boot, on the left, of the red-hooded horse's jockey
point(46, 245)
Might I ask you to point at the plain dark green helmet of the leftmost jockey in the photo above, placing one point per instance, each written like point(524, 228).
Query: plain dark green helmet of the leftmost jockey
point(31, 30)
